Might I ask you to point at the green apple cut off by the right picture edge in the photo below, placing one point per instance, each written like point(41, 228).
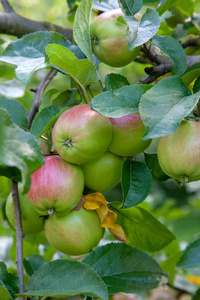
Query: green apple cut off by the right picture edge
point(179, 152)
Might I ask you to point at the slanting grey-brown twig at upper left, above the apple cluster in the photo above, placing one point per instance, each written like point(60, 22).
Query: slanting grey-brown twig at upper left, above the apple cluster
point(38, 95)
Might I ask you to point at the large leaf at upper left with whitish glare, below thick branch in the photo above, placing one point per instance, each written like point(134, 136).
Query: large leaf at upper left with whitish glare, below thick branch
point(28, 52)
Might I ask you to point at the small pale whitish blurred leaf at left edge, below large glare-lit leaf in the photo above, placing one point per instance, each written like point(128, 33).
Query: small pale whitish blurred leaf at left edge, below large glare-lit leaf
point(12, 88)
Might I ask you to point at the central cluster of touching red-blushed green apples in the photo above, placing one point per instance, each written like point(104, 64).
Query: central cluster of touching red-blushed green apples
point(91, 149)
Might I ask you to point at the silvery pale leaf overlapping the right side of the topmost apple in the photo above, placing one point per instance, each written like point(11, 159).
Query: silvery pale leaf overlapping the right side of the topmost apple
point(141, 32)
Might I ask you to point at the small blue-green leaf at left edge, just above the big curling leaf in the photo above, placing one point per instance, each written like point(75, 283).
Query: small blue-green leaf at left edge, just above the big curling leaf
point(15, 110)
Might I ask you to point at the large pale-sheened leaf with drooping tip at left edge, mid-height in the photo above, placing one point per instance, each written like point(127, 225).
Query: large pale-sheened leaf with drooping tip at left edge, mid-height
point(20, 153)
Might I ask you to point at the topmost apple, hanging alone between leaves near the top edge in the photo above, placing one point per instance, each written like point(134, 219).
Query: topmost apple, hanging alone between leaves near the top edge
point(109, 41)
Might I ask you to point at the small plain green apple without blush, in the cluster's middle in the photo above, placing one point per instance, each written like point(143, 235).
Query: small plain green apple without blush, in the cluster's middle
point(103, 173)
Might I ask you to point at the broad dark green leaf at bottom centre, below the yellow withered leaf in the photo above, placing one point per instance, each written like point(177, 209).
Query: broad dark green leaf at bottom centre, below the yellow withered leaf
point(125, 269)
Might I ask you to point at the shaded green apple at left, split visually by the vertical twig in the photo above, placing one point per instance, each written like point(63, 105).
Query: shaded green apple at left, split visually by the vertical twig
point(31, 220)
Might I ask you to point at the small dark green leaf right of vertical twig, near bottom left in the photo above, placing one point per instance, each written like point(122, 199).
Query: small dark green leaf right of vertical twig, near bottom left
point(32, 263)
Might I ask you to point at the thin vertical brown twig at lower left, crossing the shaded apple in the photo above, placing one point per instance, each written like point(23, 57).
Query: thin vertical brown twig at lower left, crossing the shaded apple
point(19, 234)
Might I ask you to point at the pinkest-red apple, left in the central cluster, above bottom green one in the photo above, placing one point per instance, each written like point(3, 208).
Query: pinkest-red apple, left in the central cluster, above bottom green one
point(56, 187)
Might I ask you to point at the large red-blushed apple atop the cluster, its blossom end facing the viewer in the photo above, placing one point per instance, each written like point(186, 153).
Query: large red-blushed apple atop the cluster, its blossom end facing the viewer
point(81, 134)
